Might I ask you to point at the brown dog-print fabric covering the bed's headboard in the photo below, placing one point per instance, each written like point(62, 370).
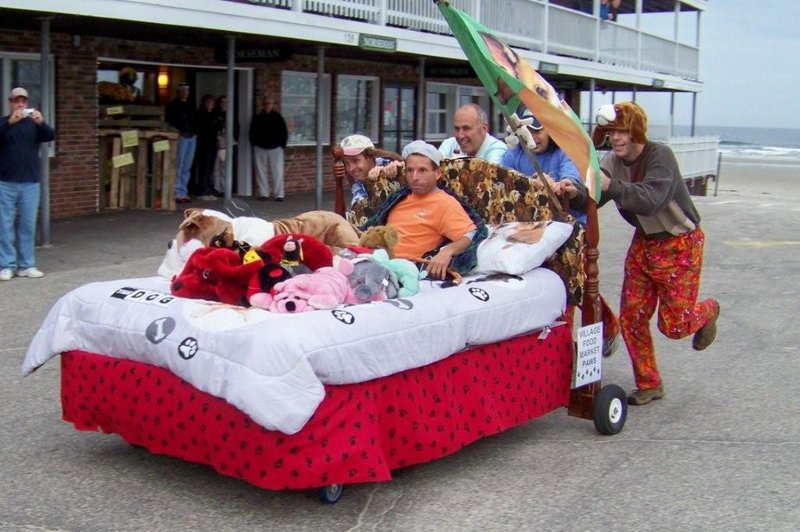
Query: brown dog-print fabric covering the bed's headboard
point(498, 195)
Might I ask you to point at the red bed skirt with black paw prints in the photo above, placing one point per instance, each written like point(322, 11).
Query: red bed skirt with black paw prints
point(359, 433)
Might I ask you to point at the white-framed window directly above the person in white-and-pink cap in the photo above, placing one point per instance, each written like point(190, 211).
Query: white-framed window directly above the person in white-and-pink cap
point(357, 105)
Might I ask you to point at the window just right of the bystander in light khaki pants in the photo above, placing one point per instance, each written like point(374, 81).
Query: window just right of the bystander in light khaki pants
point(299, 107)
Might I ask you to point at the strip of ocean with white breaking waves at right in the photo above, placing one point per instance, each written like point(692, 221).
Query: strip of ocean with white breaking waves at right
point(759, 144)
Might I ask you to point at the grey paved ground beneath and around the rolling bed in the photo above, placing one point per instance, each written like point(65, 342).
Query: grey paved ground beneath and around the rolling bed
point(720, 452)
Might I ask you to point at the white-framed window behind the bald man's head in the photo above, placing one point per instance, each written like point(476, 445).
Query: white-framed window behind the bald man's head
point(443, 99)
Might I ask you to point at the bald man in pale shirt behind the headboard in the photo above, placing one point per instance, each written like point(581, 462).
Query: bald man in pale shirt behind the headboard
point(472, 138)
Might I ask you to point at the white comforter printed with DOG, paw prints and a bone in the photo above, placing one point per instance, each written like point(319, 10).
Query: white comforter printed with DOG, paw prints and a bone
point(273, 366)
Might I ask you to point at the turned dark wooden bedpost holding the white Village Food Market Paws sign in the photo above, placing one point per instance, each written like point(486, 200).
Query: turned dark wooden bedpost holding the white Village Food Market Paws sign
point(581, 400)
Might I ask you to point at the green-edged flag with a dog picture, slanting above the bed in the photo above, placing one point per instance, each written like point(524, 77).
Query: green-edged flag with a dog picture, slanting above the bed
point(511, 81)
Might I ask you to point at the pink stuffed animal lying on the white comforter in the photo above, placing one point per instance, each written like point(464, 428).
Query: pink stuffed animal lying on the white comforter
point(325, 288)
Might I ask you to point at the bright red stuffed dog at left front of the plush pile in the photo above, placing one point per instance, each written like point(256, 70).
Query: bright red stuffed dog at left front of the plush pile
point(215, 274)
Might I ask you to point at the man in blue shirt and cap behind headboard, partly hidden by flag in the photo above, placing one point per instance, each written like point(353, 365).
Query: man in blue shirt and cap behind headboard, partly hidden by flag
point(554, 163)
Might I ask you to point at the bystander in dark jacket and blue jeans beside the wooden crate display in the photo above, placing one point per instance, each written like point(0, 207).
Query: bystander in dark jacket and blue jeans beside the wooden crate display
point(180, 114)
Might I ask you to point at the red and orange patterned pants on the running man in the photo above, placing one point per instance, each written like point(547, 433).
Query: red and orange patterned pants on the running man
point(664, 273)
